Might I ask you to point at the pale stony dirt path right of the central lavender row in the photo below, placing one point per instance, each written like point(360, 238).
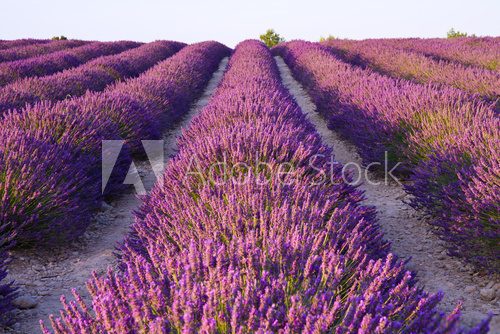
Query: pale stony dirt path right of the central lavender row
point(406, 229)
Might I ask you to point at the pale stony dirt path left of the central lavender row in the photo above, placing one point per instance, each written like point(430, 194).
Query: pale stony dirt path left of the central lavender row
point(43, 276)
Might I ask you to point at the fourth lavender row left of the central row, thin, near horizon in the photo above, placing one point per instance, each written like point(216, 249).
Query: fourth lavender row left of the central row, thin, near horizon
point(37, 49)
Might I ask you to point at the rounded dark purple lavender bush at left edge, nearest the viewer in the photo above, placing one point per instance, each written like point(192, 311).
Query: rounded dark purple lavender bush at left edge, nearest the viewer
point(46, 193)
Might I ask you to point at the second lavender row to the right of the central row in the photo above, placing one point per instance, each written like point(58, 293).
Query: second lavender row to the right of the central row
point(414, 66)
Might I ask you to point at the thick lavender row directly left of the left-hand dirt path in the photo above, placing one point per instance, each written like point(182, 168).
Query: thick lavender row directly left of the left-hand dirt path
point(57, 146)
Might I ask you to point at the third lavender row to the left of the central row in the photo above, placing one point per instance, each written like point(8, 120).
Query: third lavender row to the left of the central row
point(58, 61)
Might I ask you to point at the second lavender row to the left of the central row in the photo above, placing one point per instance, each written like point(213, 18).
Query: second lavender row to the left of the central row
point(94, 76)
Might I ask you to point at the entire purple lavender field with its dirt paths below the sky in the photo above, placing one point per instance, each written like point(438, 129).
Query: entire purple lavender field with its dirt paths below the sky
point(342, 186)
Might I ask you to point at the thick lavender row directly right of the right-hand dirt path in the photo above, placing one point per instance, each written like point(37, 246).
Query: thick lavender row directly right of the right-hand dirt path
point(449, 143)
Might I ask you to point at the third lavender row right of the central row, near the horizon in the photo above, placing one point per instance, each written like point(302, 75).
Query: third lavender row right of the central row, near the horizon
point(483, 52)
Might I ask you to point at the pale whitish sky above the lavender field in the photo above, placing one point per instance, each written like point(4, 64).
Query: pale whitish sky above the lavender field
point(230, 21)
